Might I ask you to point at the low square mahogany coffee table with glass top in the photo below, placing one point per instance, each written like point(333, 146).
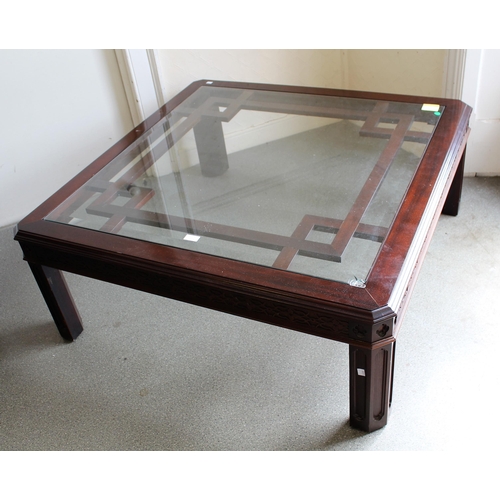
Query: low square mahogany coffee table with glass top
point(306, 208)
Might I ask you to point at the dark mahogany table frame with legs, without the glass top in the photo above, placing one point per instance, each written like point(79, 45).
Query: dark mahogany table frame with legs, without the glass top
point(367, 319)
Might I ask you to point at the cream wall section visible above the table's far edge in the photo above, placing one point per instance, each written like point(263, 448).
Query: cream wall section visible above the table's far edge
point(418, 72)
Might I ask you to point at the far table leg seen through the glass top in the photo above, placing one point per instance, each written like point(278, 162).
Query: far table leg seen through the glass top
point(211, 146)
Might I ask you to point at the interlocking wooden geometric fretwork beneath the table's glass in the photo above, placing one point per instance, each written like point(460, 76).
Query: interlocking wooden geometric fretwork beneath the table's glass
point(375, 124)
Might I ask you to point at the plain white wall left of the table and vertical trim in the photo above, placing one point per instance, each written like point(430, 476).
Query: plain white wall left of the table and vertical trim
point(60, 109)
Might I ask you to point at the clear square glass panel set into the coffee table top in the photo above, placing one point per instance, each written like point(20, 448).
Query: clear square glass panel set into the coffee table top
point(301, 182)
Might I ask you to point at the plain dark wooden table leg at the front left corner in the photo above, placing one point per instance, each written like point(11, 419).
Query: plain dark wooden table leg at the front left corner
point(59, 301)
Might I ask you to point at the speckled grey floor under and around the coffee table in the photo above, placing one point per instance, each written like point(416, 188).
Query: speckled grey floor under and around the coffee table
point(153, 374)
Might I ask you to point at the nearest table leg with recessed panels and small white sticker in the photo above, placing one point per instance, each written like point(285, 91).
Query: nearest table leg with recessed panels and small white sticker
point(370, 384)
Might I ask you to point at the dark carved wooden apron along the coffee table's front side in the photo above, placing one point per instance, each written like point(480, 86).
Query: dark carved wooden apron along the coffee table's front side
point(355, 327)
